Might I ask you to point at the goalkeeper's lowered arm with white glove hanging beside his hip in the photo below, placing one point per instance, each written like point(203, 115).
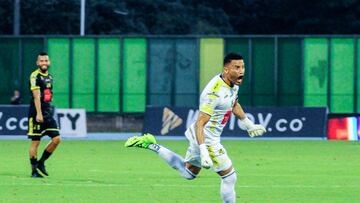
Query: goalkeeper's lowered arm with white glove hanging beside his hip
point(203, 118)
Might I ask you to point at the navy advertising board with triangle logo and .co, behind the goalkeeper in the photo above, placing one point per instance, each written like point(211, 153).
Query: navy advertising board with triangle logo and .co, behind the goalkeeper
point(280, 122)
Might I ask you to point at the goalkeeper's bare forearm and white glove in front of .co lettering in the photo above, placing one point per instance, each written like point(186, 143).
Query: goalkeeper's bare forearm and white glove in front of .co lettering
point(252, 129)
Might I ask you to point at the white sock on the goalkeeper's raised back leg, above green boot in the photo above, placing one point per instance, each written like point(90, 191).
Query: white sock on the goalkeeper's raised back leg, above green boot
point(173, 160)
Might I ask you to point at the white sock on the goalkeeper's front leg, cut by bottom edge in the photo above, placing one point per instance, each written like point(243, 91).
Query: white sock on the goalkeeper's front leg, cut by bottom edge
point(227, 188)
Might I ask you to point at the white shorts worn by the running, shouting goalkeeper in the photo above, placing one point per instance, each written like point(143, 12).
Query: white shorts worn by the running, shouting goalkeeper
point(217, 152)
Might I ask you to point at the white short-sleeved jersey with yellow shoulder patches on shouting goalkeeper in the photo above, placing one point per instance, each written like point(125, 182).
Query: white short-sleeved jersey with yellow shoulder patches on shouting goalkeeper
point(217, 100)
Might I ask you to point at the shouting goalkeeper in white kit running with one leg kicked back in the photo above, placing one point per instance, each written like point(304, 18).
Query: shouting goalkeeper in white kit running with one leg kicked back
point(217, 101)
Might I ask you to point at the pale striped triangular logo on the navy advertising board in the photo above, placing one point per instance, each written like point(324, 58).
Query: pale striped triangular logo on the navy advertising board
point(170, 121)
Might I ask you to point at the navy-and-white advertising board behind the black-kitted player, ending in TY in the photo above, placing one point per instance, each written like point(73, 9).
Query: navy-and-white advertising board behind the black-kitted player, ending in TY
point(14, 121)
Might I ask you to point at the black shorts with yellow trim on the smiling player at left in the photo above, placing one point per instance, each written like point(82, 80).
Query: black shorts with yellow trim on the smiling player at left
point(36, 130)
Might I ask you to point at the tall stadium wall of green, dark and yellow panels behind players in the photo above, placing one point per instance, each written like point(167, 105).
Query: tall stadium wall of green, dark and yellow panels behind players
point(123, 74)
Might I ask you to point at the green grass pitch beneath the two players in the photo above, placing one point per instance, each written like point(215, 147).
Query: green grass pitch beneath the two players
point(105, 171)
